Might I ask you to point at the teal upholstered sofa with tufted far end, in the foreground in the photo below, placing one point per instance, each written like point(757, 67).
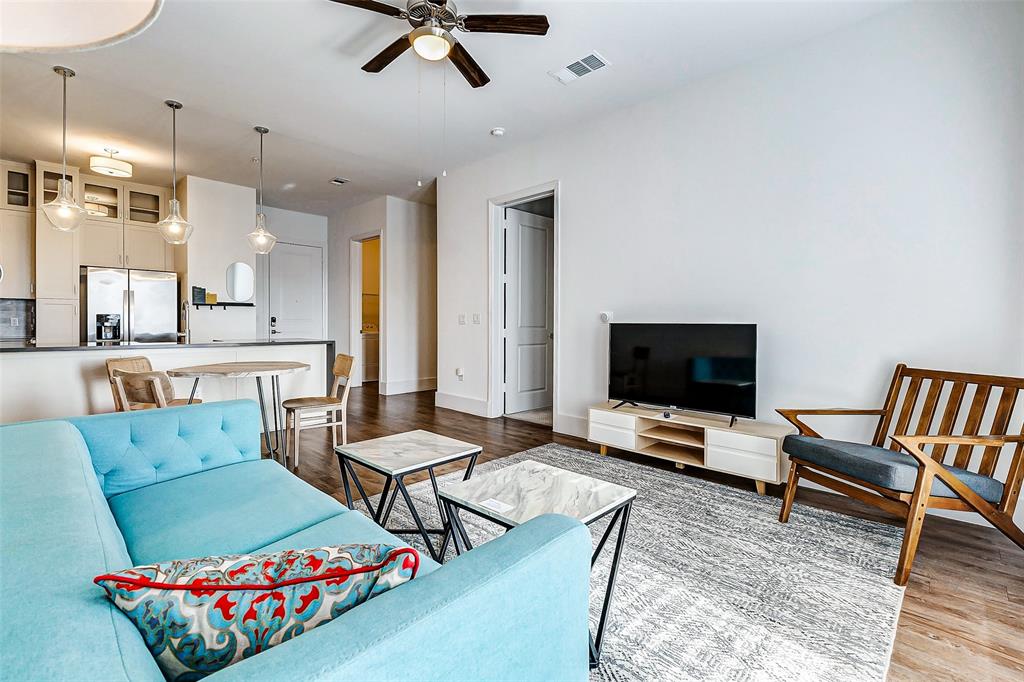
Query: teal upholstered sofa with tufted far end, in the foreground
point(88, 496)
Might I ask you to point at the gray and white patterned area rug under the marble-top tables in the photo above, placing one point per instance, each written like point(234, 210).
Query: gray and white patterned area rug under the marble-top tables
point(713, 587)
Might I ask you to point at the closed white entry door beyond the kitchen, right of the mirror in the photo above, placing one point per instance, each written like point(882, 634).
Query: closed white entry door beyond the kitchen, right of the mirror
point(296, 292)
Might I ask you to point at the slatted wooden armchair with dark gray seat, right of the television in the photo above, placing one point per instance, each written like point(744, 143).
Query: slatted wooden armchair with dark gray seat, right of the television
point(958, 472)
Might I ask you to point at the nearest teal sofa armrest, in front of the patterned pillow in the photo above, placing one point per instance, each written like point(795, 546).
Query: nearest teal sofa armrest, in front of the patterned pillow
point(514, 609)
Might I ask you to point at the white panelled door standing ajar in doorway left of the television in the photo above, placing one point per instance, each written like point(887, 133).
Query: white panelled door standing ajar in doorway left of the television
point(530, 316)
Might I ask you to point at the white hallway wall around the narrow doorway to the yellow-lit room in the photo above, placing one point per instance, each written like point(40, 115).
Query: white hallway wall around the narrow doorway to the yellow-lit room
point(408, 324)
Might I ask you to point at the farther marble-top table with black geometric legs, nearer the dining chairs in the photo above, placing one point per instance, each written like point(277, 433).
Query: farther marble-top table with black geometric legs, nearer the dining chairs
point(396, 457)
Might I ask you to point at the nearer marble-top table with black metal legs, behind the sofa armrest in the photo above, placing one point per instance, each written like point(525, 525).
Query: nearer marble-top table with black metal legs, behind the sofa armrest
point(513, 496)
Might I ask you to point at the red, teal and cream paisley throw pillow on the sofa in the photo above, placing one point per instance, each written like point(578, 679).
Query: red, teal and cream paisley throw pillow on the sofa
point(200, 616)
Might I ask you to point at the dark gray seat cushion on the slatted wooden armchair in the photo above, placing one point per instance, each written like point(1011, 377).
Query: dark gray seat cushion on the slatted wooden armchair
point(894, 471)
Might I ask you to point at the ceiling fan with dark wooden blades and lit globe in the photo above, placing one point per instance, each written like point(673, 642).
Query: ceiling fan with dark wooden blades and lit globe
point(432, 38)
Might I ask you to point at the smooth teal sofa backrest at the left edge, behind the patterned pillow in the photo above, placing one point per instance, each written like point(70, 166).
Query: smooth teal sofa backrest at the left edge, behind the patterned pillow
point(56, 535)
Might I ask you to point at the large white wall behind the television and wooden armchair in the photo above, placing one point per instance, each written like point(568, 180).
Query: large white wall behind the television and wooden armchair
point(858, 197)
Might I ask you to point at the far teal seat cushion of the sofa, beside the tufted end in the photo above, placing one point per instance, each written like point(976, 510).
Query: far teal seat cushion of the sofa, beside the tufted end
point(230, 510)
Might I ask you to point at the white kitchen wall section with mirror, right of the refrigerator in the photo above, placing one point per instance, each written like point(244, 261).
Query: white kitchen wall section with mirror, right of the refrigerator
point(223, 216)
